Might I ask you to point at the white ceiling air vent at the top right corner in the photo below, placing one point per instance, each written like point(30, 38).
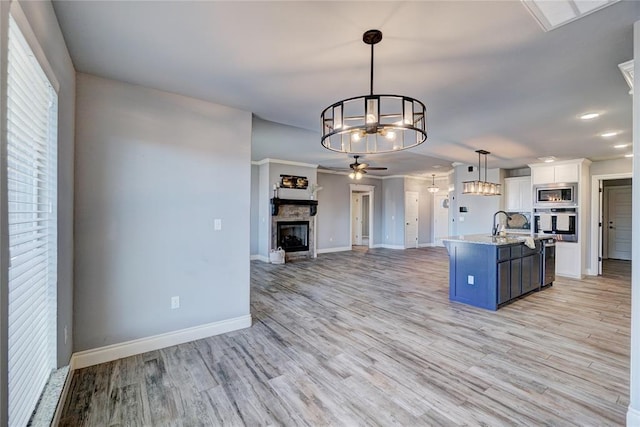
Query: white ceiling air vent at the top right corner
point(552, 14)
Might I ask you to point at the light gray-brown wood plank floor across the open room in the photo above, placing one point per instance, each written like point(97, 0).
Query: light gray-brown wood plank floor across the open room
point(370, 338)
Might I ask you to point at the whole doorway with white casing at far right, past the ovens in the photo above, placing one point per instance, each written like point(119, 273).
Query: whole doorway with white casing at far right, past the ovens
point(611, 219)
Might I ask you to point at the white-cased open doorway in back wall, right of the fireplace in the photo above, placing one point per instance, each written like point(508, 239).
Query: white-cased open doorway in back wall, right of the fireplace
point(361, 216)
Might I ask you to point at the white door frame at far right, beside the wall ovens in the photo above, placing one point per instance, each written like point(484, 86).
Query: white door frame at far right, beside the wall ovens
point(595, 264)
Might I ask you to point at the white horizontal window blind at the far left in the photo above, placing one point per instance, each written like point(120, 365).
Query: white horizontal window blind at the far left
point(32, 111)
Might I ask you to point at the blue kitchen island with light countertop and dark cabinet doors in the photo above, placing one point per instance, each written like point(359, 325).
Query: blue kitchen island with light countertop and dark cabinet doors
point(491, 271)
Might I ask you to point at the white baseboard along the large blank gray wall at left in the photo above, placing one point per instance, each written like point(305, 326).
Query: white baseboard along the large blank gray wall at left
point(109, 353)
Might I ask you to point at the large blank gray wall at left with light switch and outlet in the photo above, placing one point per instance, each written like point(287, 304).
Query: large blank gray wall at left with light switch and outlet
point(153, 171)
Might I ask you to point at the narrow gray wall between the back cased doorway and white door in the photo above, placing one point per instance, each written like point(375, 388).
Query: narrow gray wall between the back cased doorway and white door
point(393, 212)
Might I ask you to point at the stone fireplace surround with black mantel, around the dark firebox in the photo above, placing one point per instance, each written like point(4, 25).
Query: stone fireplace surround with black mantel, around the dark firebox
point(294, 210)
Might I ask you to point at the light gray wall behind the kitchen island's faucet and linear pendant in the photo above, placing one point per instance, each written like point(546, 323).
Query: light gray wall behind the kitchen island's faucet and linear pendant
point(479, 217)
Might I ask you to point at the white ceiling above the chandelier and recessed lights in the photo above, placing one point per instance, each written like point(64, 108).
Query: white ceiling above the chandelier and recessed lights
point(490, 77)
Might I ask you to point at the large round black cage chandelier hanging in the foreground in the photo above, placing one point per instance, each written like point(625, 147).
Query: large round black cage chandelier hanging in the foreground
point(371, 123)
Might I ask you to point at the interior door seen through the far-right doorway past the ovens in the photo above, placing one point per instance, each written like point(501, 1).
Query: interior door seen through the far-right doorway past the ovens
point(619, 222)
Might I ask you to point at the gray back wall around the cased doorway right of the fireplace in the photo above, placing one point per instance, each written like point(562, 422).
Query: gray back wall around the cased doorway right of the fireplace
point(333, 219)
